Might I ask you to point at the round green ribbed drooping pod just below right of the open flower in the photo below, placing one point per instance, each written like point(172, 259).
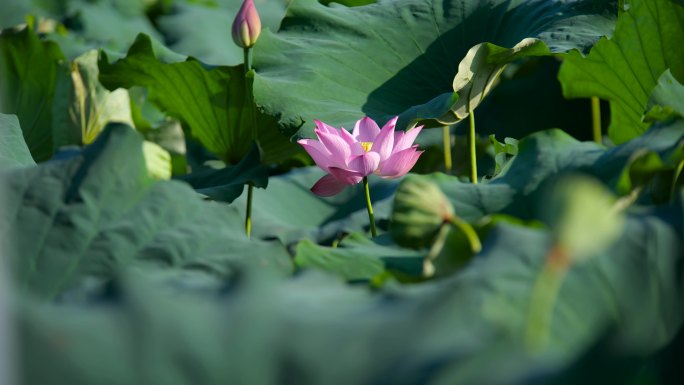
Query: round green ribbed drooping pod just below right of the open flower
point(420, 209)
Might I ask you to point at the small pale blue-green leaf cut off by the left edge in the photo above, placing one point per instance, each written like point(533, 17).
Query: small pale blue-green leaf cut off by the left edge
point(13, 149)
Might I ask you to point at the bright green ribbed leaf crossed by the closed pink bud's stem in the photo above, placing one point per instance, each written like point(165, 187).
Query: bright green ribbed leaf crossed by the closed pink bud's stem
point(210, 102)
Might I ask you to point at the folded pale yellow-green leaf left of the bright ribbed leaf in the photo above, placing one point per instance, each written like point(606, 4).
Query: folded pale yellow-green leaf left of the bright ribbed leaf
point(83, 106)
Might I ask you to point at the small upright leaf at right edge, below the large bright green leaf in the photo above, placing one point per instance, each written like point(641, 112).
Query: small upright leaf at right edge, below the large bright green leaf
point(666, 100)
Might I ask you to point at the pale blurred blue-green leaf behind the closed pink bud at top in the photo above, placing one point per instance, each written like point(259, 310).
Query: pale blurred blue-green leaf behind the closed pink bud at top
point(202, 30)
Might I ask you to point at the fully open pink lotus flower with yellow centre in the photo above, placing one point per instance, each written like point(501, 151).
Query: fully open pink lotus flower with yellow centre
point(350, 157)
